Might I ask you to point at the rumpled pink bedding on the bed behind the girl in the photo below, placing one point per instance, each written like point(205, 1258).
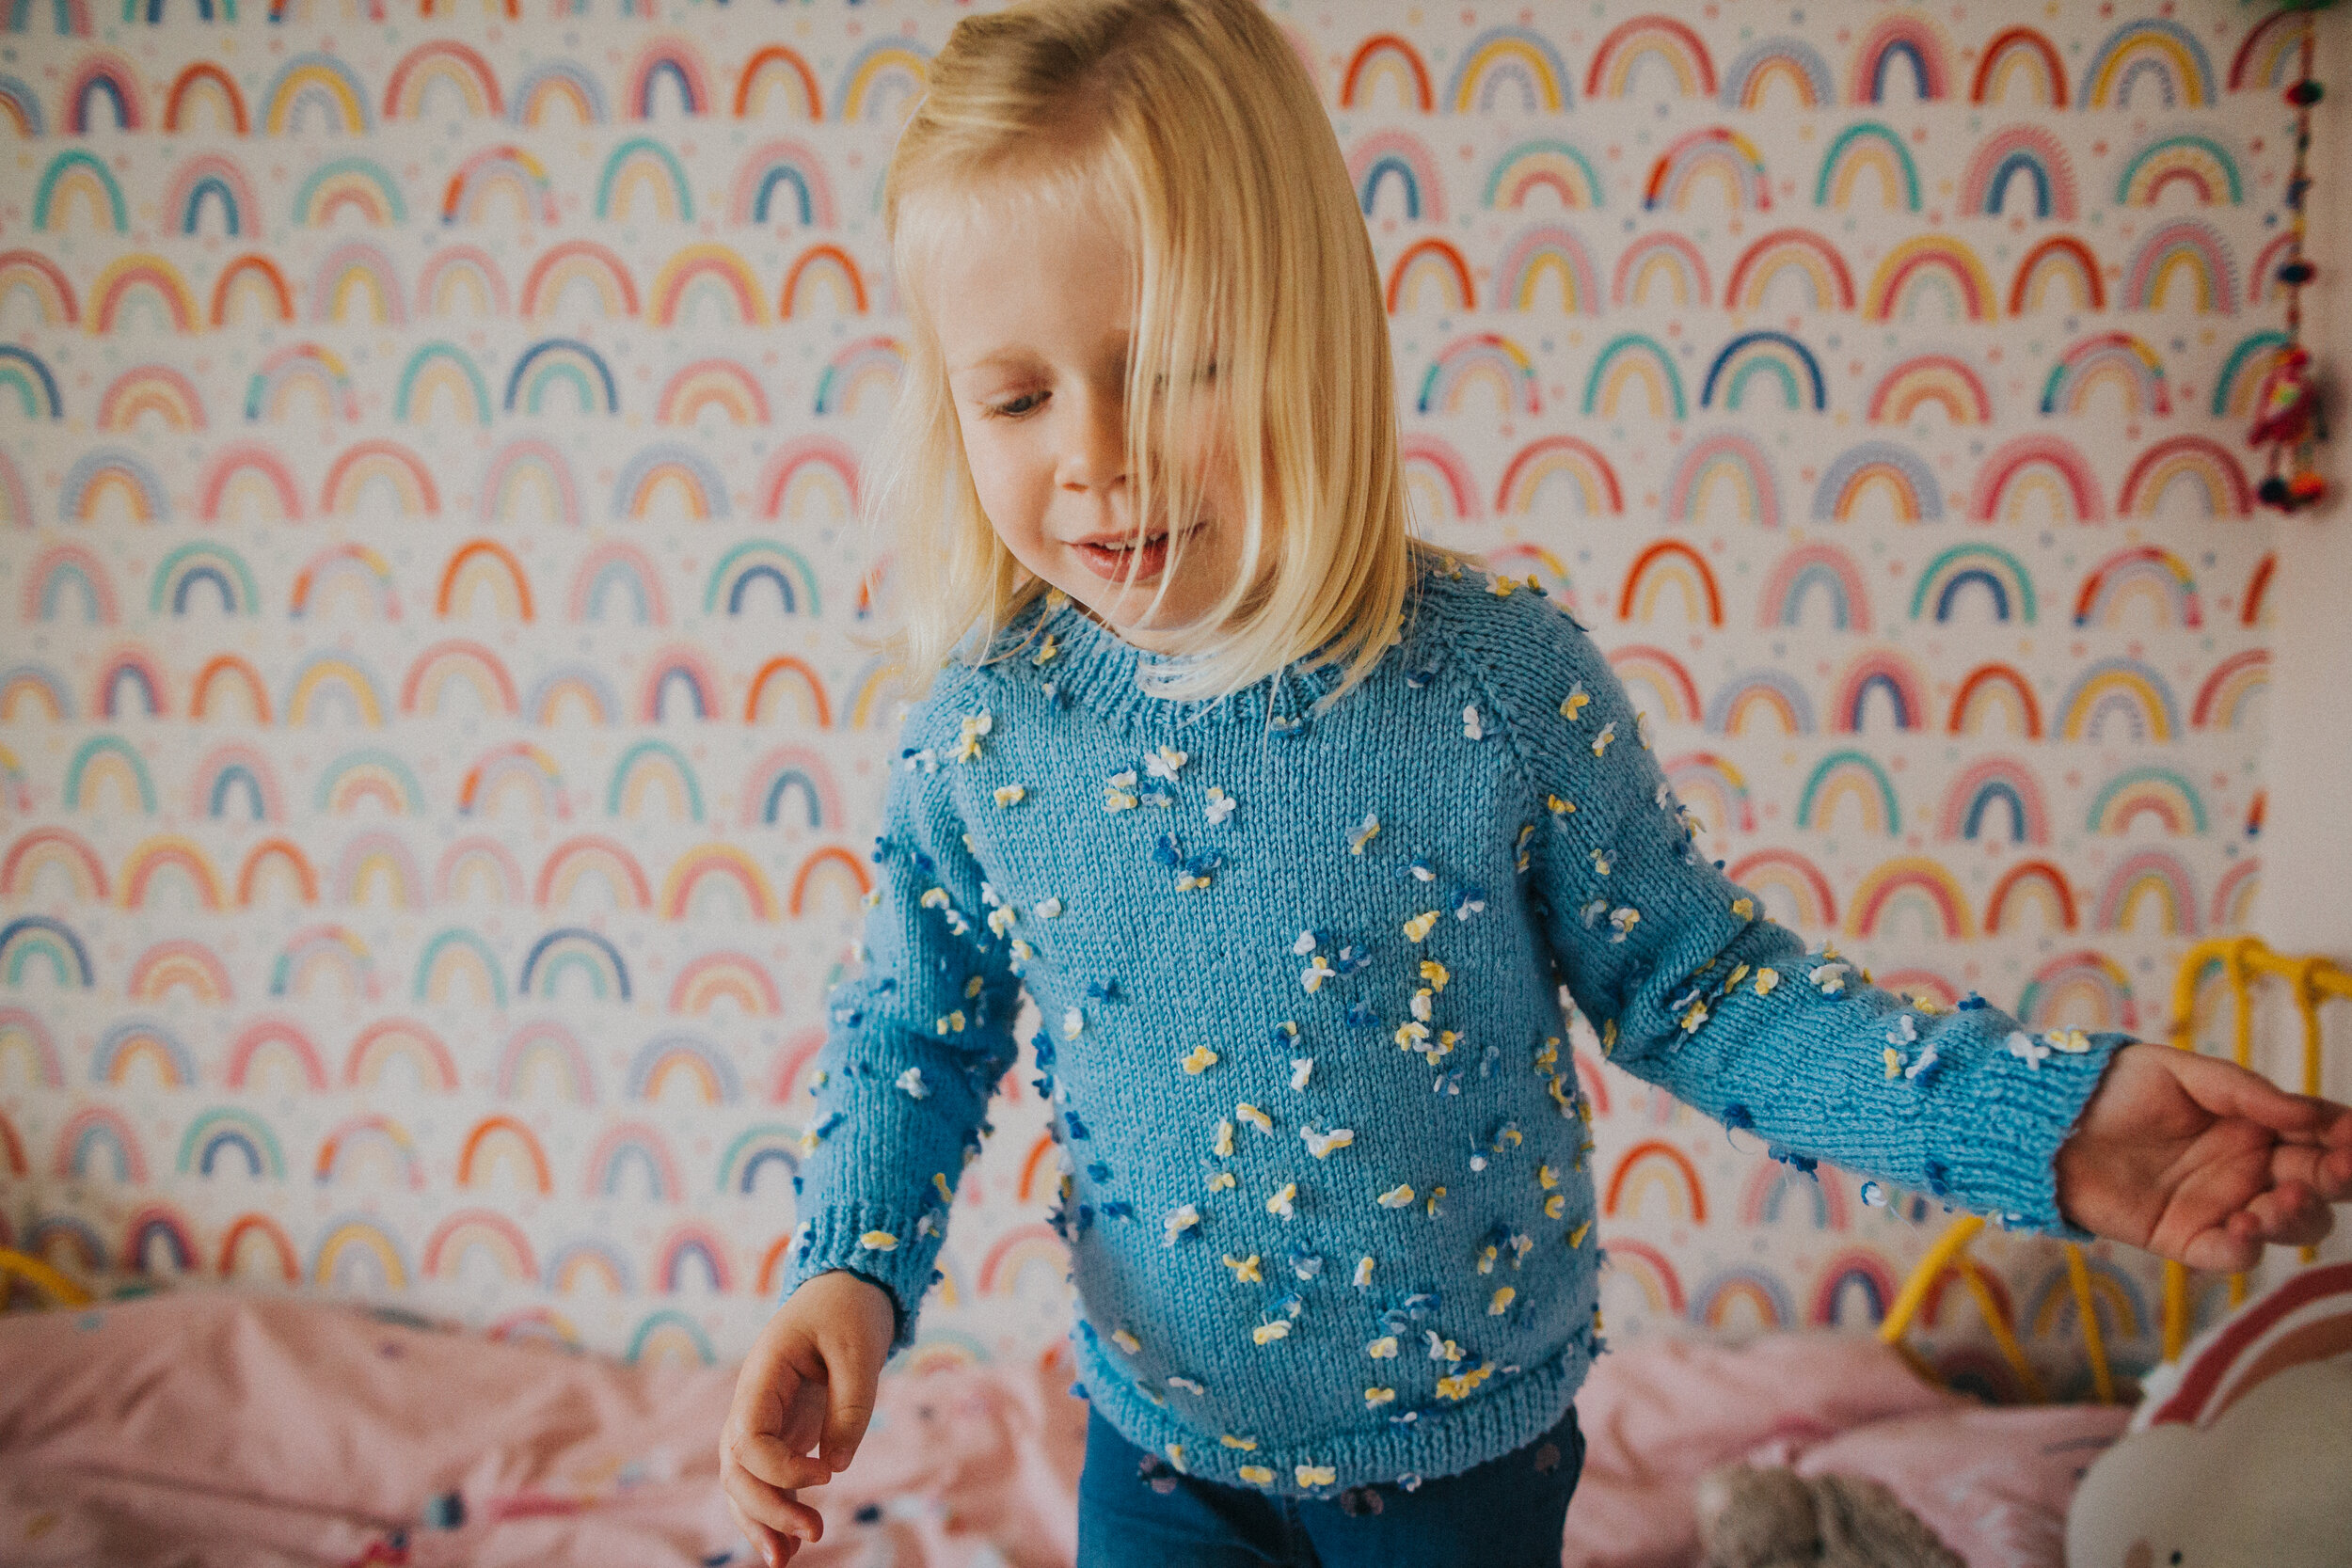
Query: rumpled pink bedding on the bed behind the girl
point(206, 1428)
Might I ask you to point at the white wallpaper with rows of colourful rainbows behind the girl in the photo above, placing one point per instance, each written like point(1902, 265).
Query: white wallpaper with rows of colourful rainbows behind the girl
point(441, 723)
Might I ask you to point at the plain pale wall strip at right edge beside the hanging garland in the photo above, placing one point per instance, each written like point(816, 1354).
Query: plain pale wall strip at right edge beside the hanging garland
point(2306, 904)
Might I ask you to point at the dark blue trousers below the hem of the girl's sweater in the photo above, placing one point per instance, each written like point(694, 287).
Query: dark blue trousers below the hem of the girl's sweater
point(1509, 1513)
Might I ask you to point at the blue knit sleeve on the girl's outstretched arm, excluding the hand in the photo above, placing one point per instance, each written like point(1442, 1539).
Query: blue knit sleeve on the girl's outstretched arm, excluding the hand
point(1692, 989)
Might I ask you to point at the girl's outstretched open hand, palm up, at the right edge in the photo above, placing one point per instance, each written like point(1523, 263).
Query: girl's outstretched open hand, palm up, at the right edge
point(2200, 1160)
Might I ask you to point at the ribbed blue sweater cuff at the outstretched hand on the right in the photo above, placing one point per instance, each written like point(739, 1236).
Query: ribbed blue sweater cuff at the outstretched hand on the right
point(2005, 1155)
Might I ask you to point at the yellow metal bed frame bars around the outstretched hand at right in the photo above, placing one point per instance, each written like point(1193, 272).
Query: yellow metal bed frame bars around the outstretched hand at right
point(2243, 960)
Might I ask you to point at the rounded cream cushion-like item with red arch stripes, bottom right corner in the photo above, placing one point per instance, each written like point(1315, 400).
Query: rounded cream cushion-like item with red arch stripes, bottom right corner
point(2238, 1454)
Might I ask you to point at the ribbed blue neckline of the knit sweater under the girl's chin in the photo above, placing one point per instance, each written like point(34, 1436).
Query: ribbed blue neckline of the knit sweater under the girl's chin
point(1104, 674)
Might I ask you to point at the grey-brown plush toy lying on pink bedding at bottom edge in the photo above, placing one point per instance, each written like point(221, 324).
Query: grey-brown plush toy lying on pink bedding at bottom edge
point(1782, 1520)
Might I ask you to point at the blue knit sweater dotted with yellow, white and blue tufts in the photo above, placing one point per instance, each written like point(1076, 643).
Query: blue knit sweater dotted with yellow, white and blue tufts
point(1328, 1172)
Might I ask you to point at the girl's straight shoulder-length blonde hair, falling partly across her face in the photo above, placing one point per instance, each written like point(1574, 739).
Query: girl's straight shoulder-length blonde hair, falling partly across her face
point(1196, 128)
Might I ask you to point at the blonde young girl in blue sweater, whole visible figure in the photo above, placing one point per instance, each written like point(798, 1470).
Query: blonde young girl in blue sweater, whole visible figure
point(1295, 831)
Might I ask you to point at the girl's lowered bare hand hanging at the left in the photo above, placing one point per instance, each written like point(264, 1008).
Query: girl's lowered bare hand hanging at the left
point(808, 1383)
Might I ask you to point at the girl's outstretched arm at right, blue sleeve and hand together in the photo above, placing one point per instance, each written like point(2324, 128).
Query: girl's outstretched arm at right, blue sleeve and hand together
point(1695, 991)
